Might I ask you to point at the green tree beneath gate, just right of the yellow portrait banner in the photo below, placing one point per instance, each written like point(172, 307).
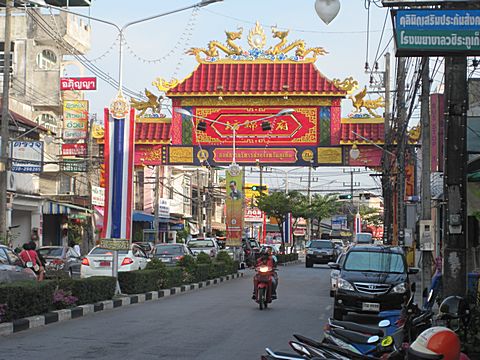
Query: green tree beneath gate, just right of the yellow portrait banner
point(278, 205)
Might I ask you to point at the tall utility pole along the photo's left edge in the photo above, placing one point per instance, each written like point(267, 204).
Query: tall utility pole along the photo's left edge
point(5, 120)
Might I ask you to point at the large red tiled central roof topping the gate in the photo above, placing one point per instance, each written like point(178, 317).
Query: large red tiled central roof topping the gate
point(256, 78)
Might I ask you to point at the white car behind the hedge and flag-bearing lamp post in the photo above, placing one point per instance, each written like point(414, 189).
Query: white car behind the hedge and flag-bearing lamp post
point(98, 262)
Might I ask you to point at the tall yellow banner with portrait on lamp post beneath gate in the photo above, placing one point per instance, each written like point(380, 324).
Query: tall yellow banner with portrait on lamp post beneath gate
point(234, 207)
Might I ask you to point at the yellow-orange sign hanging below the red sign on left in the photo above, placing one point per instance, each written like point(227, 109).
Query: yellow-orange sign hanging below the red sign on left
point(75, 119)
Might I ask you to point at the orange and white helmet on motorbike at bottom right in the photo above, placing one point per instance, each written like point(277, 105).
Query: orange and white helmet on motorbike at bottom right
point(438, 340)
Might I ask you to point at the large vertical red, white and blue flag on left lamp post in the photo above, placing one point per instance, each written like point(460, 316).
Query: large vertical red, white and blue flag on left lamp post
point(119, 153)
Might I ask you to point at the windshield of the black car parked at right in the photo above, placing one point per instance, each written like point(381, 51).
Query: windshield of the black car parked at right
point(384, 262)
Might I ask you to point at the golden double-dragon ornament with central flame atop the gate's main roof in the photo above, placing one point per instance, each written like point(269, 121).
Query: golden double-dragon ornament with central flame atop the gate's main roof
point(280, 52)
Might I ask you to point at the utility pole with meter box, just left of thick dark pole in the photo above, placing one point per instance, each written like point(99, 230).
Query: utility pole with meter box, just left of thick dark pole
point(425, 182)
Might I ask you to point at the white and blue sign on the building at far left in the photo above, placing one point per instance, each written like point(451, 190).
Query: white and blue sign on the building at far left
point(27, 156)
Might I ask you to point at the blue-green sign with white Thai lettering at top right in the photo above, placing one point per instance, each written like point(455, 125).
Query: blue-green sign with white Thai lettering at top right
point(437, 32)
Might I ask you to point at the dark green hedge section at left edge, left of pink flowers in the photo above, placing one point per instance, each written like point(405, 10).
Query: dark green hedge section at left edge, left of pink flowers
point(26, 298)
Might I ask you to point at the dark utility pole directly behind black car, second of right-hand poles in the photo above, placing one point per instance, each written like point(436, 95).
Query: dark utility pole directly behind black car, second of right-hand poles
point(401, 148)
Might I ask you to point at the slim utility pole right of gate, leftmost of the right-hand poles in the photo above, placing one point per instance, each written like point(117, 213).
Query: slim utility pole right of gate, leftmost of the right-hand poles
point(386, 160)
